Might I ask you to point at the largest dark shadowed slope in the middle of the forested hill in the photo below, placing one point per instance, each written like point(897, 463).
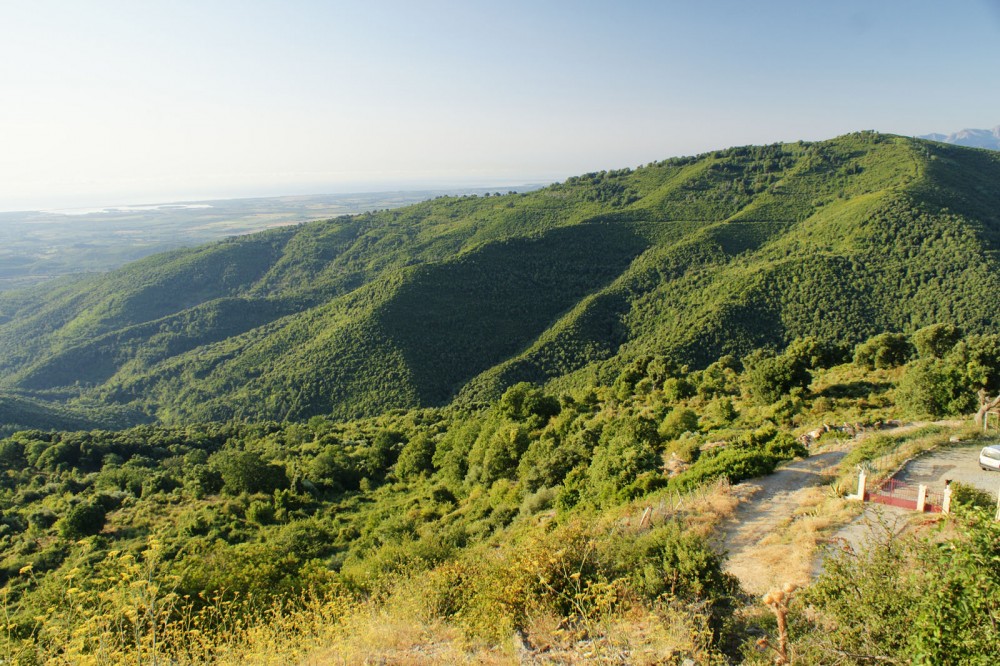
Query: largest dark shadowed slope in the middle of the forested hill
point(455, 320)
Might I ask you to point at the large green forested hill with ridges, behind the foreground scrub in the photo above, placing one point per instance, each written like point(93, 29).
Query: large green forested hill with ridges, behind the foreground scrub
point(462, 297)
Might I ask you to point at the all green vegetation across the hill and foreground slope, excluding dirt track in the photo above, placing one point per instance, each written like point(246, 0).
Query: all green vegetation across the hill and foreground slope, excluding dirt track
point(488, 426)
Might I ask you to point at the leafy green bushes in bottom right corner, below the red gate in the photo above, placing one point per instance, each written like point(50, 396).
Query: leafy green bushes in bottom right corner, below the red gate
point(909, 600)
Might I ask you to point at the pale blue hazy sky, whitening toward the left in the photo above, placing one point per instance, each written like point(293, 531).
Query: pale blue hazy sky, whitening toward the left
point(111, 103)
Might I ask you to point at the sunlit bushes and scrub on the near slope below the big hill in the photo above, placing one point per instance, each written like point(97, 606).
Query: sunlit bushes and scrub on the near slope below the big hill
point(209, 541)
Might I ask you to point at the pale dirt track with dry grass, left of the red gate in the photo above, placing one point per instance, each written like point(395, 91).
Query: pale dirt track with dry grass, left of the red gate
point(752, 535)
